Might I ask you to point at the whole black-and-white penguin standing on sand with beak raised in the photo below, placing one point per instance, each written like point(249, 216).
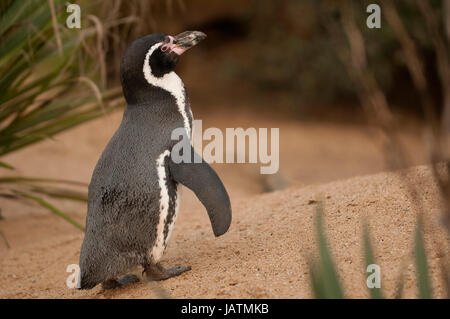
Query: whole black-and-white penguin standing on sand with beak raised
point(135, 189)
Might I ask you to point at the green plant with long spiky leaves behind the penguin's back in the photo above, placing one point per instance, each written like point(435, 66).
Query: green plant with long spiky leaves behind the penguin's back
point(47, 79)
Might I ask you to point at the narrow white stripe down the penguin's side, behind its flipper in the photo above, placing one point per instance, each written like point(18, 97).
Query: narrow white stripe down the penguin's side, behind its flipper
point(160, 244)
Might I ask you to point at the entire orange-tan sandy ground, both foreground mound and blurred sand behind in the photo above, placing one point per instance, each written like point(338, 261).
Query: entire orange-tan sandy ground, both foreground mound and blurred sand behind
point(265, 253)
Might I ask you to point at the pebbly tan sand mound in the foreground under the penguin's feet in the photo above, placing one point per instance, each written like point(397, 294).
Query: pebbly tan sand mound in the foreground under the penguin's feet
point(264, 255)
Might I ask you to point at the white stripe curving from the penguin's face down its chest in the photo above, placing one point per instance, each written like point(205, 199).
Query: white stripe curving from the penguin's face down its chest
point(170, 82)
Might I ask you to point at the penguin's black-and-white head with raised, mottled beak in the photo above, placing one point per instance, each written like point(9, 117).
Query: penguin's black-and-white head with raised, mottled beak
point(149, 59)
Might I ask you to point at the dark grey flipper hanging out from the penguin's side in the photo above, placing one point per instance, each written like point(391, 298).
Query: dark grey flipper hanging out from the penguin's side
point(209, 189)
